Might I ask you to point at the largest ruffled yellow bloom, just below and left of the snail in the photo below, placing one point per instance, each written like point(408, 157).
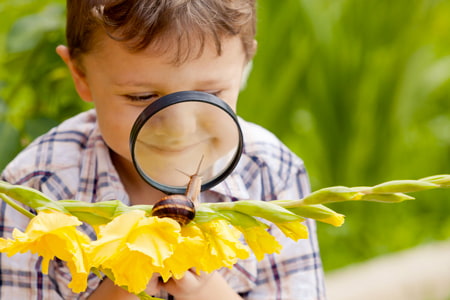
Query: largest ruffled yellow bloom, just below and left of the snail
point(133, 247)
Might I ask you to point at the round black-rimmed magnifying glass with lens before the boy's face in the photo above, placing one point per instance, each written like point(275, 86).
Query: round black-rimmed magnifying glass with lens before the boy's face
point(182, 134)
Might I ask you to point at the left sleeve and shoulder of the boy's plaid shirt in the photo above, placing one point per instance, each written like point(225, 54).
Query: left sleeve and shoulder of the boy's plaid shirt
point(21, 275)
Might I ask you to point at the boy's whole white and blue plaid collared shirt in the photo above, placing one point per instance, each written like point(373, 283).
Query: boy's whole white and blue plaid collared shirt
point(73, 162)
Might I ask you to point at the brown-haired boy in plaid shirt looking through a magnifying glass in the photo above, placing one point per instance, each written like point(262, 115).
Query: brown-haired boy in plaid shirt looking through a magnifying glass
point(123, 55)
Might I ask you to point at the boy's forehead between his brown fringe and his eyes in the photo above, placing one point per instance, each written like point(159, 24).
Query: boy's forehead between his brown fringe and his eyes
point(111, 63)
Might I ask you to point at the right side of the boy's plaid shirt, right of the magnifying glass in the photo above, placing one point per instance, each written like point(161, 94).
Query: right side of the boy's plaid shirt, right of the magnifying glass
point(270, 171)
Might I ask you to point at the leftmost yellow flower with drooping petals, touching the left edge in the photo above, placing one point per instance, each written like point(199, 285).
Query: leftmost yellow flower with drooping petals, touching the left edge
point(53, 234)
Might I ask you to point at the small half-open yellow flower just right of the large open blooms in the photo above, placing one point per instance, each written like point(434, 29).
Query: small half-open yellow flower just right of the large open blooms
point(260, 241)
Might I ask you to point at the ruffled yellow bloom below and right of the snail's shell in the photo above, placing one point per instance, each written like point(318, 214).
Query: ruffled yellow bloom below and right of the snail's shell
point(221, 245)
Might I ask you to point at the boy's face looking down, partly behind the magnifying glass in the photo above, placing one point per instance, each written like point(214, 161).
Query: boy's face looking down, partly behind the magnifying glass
point(121, 84)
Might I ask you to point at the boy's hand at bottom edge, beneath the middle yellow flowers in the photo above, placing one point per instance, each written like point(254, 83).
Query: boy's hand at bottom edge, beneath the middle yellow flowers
point(198, 287)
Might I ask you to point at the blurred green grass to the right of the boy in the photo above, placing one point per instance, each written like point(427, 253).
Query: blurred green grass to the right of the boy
point(359, 90)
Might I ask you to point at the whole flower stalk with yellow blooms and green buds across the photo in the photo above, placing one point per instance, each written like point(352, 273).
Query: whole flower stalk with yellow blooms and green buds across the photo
point(132, 246)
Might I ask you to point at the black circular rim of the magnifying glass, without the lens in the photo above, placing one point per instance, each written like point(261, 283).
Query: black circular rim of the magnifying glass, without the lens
point(171, 99)
